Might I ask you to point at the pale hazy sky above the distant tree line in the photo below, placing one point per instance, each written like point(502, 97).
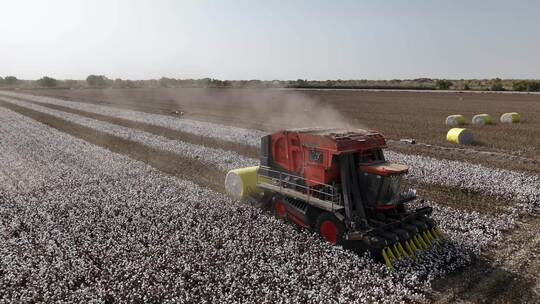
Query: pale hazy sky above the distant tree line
point(270, 39)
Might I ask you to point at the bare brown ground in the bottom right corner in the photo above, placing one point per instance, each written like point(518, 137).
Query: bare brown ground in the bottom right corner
point(503, 274)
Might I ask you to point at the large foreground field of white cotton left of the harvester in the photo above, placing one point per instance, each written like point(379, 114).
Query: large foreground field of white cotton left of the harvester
point(99, 226)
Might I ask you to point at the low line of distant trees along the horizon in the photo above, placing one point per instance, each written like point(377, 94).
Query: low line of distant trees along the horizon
point(101, 81)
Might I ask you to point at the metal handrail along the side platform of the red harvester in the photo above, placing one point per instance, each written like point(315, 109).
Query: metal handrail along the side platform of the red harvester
point(333, 194)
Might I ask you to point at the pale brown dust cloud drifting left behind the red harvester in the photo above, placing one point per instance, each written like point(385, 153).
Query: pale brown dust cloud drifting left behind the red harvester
point(263, 109)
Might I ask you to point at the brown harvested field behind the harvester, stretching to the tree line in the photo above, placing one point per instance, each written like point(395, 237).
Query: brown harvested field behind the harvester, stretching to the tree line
point(396, 114)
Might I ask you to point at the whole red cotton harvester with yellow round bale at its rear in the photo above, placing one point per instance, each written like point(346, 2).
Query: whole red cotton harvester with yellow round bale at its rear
point(338, 183)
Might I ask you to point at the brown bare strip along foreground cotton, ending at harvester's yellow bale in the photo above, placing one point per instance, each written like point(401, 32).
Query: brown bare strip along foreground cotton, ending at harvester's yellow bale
point(168, 162)
